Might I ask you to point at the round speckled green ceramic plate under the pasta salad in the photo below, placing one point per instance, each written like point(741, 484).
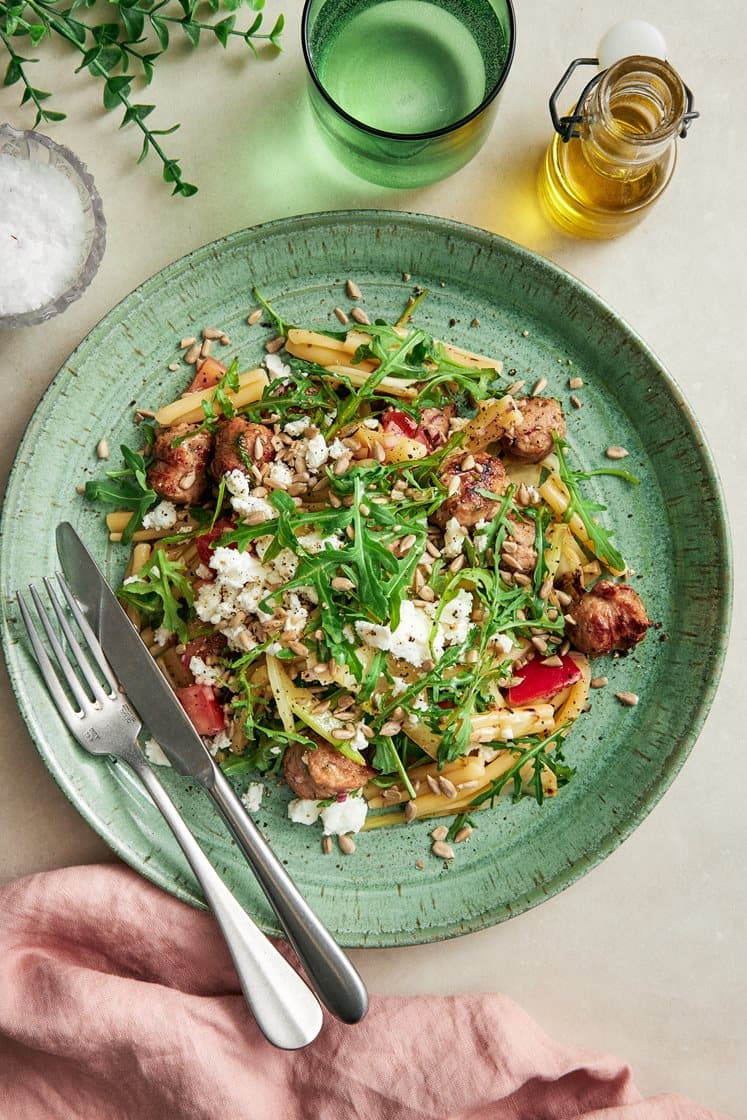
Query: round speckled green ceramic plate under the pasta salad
point(489, 295)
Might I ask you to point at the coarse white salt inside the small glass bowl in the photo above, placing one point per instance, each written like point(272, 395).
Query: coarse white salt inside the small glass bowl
point(42, 235)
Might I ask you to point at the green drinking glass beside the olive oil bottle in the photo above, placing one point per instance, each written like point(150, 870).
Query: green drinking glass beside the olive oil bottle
point(405, 91)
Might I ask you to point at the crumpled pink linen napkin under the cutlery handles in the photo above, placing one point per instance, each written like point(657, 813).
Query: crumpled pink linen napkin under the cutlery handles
point(120, 1002)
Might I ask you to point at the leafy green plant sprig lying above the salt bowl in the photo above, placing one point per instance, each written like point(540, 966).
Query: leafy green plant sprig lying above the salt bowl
point(108, 51)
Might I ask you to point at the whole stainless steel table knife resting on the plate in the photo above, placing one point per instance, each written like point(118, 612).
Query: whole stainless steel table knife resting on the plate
point(330, 972)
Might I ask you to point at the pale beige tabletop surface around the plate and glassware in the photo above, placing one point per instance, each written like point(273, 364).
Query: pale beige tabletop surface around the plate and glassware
point(646, 957)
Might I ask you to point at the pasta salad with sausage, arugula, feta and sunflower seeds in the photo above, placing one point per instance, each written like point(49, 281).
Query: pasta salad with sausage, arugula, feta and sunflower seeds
point(368, 567)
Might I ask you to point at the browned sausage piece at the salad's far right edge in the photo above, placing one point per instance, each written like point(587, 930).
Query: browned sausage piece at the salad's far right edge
point(611, 617)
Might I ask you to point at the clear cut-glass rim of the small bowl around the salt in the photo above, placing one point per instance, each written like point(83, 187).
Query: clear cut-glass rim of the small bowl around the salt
point(40, 150)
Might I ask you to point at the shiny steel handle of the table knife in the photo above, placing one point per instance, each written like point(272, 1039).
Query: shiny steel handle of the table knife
point(331, 974)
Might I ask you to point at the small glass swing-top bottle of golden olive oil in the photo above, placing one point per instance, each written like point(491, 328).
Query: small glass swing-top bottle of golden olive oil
point(602, 175)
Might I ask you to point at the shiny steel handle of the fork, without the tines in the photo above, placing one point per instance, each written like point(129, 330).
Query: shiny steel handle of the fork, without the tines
point(286, 1011)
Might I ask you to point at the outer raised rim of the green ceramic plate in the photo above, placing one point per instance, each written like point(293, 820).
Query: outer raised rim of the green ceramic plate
point(666, 777)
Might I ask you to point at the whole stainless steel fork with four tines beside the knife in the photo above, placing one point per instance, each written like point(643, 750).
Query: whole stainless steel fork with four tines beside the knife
point(104, 723)
